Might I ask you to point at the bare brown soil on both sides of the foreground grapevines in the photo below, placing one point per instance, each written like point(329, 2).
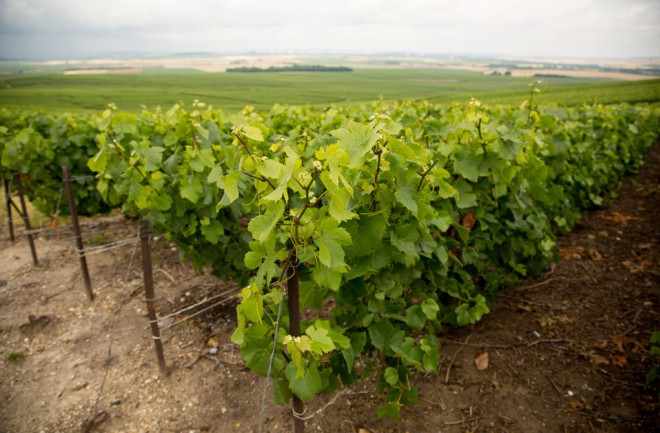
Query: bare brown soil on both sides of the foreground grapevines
point(567, 352)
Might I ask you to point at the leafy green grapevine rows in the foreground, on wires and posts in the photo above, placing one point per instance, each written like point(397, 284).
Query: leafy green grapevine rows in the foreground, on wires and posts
point(355, 237)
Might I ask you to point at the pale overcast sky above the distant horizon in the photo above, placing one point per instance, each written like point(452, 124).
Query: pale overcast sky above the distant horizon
point(53, 29)
